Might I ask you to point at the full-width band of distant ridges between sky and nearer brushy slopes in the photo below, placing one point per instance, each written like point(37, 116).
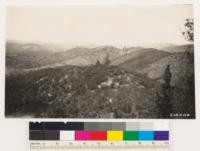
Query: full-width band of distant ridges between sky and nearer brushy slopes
point(36, 56)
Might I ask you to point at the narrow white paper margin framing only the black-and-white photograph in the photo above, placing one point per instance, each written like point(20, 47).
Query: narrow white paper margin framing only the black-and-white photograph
point(91, 2)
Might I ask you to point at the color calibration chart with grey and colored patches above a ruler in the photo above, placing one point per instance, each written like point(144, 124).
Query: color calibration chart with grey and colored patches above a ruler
point(98, 135)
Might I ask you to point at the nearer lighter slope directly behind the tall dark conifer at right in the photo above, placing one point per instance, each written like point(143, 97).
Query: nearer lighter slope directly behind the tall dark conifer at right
point(179, 65)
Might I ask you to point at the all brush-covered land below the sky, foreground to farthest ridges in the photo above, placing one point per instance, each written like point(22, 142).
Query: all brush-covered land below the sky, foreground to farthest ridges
point(100, 82)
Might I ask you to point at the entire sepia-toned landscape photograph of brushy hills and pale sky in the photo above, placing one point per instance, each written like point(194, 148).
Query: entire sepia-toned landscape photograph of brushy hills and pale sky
point(122, 61)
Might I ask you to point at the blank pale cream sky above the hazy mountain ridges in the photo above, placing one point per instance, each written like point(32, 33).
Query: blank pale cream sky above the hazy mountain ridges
point(117, 25)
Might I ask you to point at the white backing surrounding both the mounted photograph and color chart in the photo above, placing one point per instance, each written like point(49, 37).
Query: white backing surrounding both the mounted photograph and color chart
point(19, 125)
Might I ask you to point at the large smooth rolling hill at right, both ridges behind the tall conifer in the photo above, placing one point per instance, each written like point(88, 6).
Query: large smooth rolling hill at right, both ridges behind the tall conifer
point(152, 63)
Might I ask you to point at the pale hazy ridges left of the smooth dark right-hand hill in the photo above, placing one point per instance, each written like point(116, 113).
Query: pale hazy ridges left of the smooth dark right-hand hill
point(35, 55)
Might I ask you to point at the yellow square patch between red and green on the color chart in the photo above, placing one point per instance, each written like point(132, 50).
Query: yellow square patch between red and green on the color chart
point(114, 135)
